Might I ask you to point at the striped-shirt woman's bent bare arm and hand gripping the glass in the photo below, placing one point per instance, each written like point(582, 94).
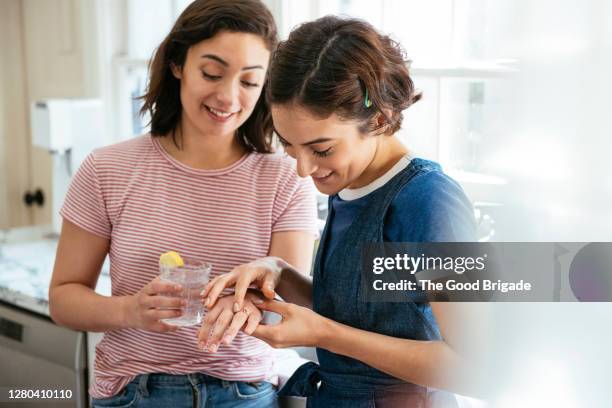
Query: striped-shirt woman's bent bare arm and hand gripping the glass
point(73, 302)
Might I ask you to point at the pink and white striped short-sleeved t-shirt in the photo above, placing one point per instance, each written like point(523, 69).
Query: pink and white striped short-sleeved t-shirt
point(147, 203)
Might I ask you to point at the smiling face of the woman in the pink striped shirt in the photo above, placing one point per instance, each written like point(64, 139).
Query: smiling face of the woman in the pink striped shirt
point(221, 81)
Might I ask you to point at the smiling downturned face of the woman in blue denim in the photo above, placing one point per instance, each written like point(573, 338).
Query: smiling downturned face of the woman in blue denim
point(332, 151)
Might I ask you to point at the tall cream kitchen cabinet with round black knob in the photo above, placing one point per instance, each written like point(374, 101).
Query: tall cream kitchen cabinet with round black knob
point(48, 50)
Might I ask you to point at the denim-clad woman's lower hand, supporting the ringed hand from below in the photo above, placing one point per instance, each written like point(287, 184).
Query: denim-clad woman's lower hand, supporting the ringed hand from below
point(300, 326)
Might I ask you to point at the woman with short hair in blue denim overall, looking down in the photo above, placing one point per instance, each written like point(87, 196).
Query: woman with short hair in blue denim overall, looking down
point(337, 89)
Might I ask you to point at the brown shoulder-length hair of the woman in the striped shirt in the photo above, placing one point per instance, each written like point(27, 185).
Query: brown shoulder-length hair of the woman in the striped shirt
point(202, 20)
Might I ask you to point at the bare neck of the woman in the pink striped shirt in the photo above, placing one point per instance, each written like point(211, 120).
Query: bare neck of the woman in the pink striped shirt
point(202, 151)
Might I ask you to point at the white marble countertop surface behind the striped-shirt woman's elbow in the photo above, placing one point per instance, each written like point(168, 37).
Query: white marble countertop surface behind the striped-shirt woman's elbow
point(27, 256)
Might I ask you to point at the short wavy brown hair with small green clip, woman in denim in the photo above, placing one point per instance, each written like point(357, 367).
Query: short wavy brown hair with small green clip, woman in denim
point(329, 64)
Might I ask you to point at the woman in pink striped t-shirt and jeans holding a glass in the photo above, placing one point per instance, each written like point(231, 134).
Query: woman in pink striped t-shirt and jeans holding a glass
point(202, 183)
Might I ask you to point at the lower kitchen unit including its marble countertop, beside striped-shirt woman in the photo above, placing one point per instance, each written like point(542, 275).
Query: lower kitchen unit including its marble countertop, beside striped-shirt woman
point(35, 352)
